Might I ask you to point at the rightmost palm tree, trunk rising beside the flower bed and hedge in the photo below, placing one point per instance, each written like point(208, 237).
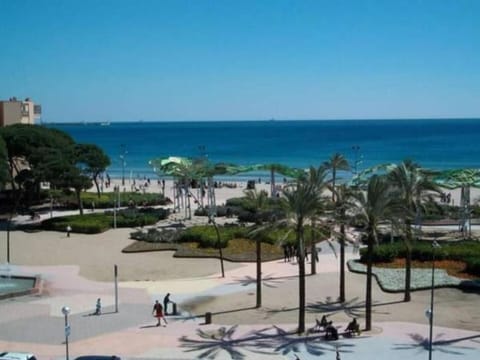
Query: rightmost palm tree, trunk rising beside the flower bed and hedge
point(414, 185)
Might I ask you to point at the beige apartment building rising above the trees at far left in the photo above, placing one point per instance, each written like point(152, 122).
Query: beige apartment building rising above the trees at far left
point(13, 111)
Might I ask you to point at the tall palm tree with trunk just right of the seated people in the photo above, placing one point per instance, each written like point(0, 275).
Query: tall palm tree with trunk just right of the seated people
point(373, 206)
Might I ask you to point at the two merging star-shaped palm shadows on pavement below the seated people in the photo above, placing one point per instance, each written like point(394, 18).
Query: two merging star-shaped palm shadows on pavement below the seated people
point(213, 343)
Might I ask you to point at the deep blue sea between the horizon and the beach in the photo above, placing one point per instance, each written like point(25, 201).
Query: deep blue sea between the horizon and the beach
point(438, 144)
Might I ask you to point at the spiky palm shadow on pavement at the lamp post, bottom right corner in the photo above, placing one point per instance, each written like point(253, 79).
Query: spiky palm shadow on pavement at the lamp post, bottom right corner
point(422, 344)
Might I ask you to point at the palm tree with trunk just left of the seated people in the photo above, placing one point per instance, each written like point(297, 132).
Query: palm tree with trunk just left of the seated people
point(301, 202)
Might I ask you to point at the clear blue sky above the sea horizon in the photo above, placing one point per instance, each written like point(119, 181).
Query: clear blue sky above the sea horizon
point(242, 60)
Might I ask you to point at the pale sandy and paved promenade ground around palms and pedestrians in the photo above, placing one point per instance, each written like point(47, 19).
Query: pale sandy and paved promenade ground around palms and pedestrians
point(77, 270)
